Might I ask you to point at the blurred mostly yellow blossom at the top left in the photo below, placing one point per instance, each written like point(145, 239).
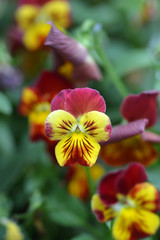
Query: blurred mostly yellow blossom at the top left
point(32, 17)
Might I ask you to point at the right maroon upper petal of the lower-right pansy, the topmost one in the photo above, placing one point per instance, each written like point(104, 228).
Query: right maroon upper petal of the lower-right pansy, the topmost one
point(134, 174)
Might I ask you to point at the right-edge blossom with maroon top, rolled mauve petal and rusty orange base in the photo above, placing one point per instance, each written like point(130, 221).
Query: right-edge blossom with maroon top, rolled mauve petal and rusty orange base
point(131, 142)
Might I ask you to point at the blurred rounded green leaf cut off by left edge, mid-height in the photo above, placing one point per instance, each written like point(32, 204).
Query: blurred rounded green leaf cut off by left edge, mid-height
point(5, 105)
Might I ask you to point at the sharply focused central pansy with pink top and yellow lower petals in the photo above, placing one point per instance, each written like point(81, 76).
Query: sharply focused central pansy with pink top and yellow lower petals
point(78, 121)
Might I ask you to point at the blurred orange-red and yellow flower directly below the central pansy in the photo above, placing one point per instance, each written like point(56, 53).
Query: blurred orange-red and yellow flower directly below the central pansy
point(77, 183)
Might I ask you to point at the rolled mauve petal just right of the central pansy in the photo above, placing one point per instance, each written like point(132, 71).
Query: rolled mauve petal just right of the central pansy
point(128, 130)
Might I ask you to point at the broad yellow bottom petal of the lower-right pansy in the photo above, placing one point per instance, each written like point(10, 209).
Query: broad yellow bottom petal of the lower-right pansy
point(135, 224)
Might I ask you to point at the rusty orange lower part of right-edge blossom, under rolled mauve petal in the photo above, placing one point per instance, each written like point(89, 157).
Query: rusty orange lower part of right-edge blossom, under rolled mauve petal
point(128, 150)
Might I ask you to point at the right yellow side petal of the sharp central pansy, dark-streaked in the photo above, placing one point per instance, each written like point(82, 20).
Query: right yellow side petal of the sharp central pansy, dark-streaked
point(97, 125)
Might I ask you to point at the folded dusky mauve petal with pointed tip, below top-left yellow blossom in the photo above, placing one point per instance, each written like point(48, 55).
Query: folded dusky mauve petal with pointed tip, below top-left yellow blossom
point(68, 49)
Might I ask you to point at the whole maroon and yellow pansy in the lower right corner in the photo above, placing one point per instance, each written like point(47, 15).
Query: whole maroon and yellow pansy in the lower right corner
point(126, 196)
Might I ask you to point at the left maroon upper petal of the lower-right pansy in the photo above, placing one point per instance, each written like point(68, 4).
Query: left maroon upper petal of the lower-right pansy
point(108, 187)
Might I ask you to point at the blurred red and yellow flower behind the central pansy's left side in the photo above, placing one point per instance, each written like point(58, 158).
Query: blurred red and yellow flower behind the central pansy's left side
point(35, 102)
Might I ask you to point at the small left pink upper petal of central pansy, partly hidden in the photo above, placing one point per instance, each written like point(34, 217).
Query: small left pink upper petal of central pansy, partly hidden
point(59, 101)
